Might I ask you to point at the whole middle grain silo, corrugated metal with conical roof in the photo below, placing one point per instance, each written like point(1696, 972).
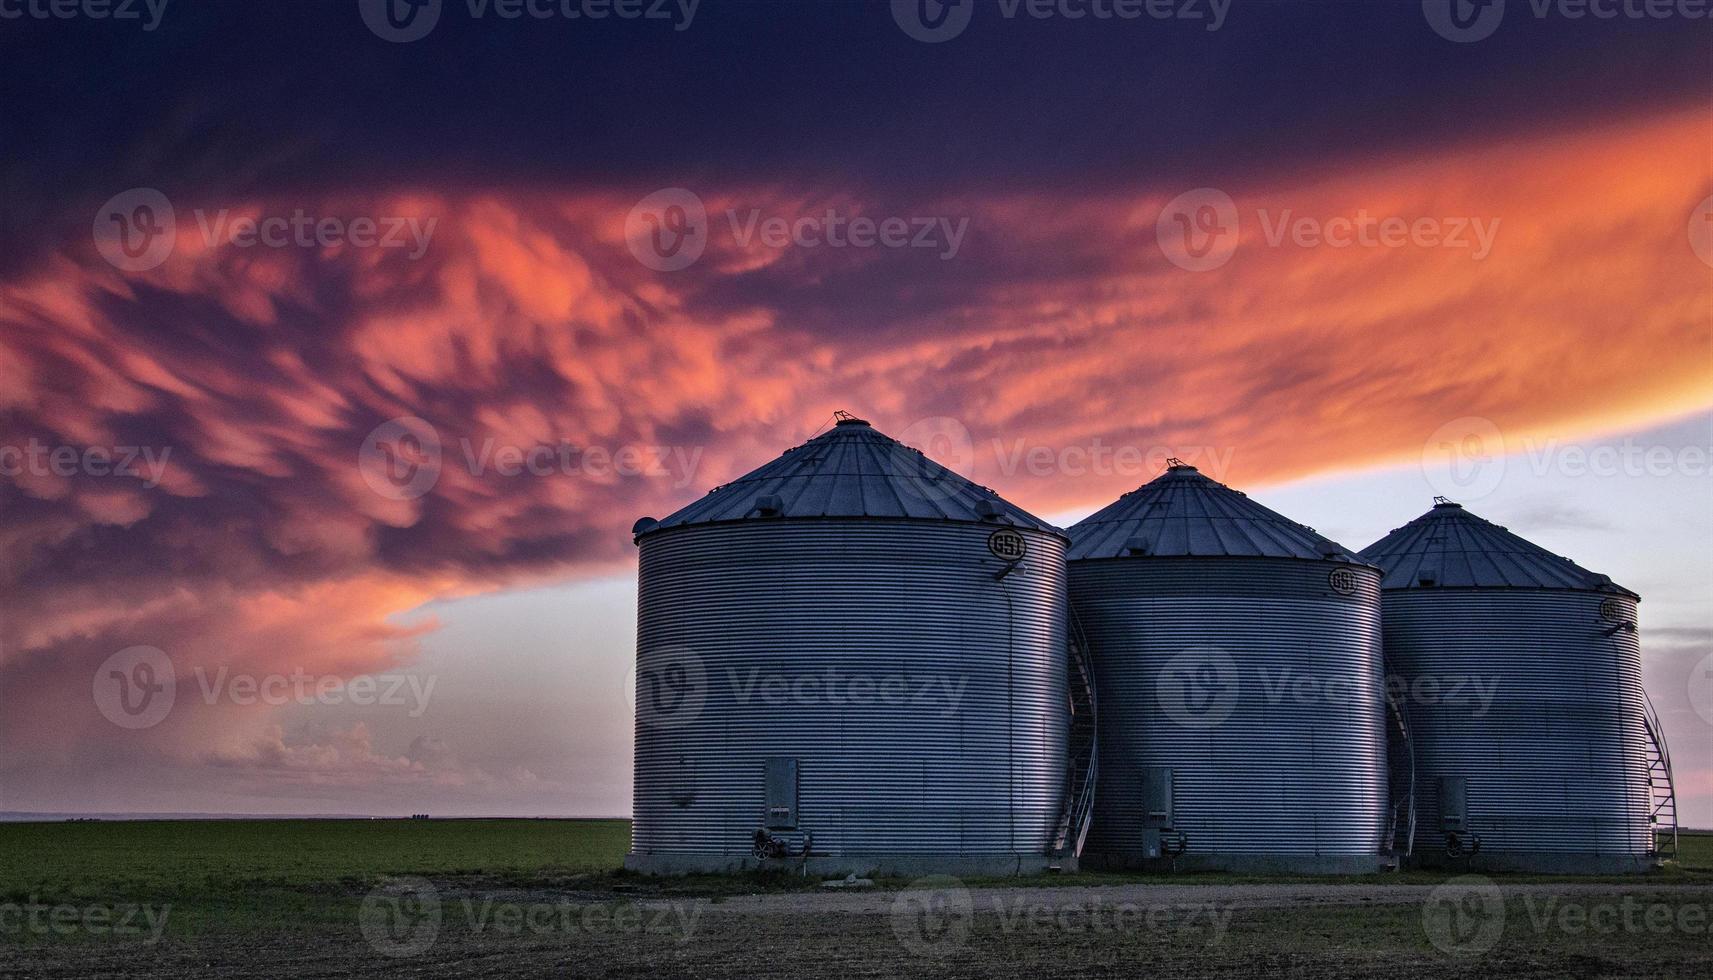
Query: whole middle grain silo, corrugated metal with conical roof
point(1238, 662)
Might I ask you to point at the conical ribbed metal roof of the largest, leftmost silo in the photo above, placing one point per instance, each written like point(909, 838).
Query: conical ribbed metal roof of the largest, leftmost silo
point(851, 472)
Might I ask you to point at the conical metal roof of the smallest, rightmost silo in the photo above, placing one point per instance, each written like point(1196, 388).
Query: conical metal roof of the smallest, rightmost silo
point(1448, 547)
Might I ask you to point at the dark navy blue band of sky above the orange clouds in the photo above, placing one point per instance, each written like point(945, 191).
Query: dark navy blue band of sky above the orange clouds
point(236, 97)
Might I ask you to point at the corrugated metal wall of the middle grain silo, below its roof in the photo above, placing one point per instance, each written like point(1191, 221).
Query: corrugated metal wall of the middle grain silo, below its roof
point(1286, 770)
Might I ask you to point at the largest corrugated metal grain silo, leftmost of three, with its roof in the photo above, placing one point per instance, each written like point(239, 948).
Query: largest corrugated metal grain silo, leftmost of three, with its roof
point(851, 659)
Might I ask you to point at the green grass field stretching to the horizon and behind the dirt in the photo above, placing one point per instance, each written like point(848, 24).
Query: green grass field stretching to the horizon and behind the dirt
point(307, 876)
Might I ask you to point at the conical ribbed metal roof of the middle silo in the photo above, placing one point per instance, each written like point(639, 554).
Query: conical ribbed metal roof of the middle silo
point(1183, 513)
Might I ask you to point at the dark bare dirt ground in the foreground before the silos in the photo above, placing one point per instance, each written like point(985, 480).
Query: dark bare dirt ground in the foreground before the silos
point(943, 929)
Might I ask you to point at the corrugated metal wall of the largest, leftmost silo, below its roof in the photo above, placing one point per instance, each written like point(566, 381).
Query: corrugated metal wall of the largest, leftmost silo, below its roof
point(969, 753)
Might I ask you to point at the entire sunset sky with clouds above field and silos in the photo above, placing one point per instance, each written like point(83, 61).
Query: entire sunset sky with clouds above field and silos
point(337, 362)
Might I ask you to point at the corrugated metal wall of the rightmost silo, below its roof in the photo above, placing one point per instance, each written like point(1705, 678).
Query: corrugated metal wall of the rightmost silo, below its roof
point(1556, 763)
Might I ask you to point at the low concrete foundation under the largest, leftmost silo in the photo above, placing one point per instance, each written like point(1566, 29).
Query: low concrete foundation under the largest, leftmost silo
point(864, 866)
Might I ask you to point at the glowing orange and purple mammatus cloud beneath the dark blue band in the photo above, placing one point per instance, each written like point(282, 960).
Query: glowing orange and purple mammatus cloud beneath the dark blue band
point(573, 390)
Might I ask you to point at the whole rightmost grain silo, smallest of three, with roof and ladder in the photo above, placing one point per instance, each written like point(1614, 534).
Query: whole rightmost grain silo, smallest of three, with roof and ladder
point(1534, 741)
